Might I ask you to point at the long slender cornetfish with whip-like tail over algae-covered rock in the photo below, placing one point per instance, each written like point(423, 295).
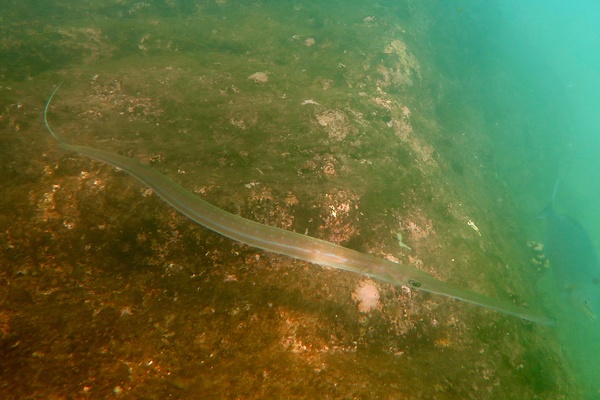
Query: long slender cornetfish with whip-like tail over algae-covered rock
point(285, 242)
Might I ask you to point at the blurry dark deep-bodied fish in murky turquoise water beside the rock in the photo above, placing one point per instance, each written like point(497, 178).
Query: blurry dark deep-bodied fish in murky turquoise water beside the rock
point(573, 261)
